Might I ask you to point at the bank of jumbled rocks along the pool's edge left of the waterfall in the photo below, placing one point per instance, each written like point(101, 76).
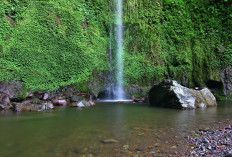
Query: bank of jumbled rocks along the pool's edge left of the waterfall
point(13, 97)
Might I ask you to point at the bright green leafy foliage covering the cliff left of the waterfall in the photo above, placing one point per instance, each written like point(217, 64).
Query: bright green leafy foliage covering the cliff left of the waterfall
point(52, 43)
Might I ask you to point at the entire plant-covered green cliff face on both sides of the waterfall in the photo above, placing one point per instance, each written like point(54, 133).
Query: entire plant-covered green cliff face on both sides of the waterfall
point(48, 44)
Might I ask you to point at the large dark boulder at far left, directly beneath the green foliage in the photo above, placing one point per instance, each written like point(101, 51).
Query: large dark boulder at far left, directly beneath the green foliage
point(13, 89)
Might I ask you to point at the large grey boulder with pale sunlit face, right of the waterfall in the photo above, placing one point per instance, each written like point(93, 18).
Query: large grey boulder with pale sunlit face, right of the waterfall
point(171, 94)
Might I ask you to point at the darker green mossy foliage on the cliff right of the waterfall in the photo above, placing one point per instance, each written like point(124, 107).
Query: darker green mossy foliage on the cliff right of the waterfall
point(186, 40)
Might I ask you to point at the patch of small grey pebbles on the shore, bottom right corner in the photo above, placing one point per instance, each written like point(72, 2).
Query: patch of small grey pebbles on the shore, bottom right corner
point(209, 142)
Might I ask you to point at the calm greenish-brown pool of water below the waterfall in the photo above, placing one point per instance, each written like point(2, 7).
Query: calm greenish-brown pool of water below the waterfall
point(68, 132)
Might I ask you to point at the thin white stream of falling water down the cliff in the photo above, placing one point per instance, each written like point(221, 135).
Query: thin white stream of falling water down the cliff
point(120, 94)
